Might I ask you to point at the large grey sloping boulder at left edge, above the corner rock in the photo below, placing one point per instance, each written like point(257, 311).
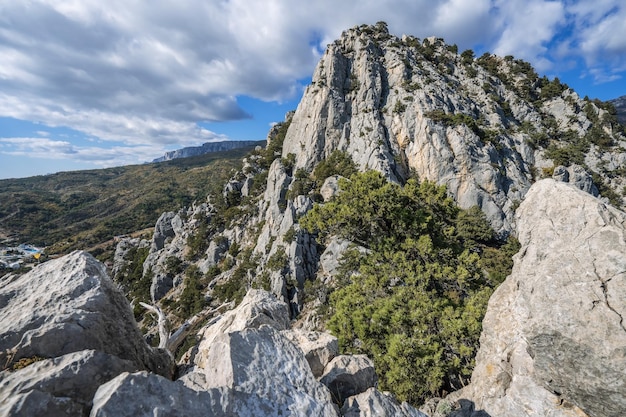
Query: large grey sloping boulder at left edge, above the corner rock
point(67, 305)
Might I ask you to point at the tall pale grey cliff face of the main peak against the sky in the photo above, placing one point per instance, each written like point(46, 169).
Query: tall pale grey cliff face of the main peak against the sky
point(396, 105)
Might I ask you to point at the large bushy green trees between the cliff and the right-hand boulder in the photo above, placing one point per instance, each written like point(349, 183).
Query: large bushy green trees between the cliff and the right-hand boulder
point(414, 301)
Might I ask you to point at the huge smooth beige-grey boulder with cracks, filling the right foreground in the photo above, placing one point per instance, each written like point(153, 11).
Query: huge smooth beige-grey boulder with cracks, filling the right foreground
point(554, 335)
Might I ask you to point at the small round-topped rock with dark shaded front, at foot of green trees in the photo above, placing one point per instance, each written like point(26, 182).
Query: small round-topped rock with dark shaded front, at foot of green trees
point(348, 375)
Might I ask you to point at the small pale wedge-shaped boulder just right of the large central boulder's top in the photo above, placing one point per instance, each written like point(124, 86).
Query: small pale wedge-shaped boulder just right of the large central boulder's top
point(318, 348)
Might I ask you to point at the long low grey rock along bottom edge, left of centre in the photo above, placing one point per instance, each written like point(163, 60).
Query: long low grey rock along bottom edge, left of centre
point(147, 395)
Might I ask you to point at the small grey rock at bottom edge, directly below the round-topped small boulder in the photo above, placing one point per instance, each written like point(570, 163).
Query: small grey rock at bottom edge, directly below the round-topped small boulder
point(373, 403)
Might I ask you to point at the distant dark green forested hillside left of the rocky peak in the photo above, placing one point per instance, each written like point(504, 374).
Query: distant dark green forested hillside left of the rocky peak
point(80, 209)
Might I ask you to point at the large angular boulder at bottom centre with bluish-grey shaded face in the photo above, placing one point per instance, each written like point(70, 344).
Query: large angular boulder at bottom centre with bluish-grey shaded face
point(264, 363)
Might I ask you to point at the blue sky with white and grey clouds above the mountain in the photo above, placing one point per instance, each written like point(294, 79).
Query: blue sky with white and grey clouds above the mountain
point(88, 84)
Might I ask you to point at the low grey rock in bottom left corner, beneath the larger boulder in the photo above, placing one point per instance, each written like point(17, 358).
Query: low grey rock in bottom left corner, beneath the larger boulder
point(68, 382)
